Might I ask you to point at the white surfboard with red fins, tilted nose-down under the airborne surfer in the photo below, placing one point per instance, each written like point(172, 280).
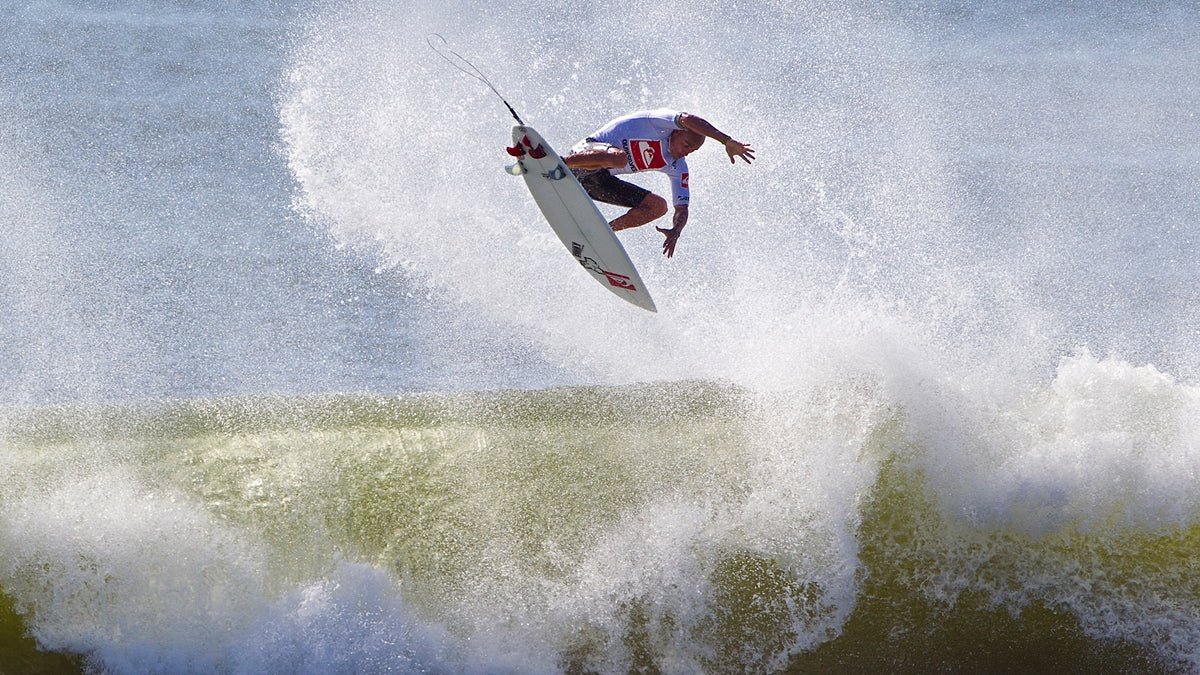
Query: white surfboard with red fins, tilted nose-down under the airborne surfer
point(575, 218)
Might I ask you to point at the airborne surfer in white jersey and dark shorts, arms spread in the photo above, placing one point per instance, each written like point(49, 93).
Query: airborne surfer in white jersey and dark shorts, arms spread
point(646, 141)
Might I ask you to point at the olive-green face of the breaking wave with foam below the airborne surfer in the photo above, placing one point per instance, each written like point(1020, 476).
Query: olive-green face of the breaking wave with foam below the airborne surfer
point(604, 529)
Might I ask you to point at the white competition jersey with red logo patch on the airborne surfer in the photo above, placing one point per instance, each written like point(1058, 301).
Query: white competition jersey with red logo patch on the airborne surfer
point(645, 138)
